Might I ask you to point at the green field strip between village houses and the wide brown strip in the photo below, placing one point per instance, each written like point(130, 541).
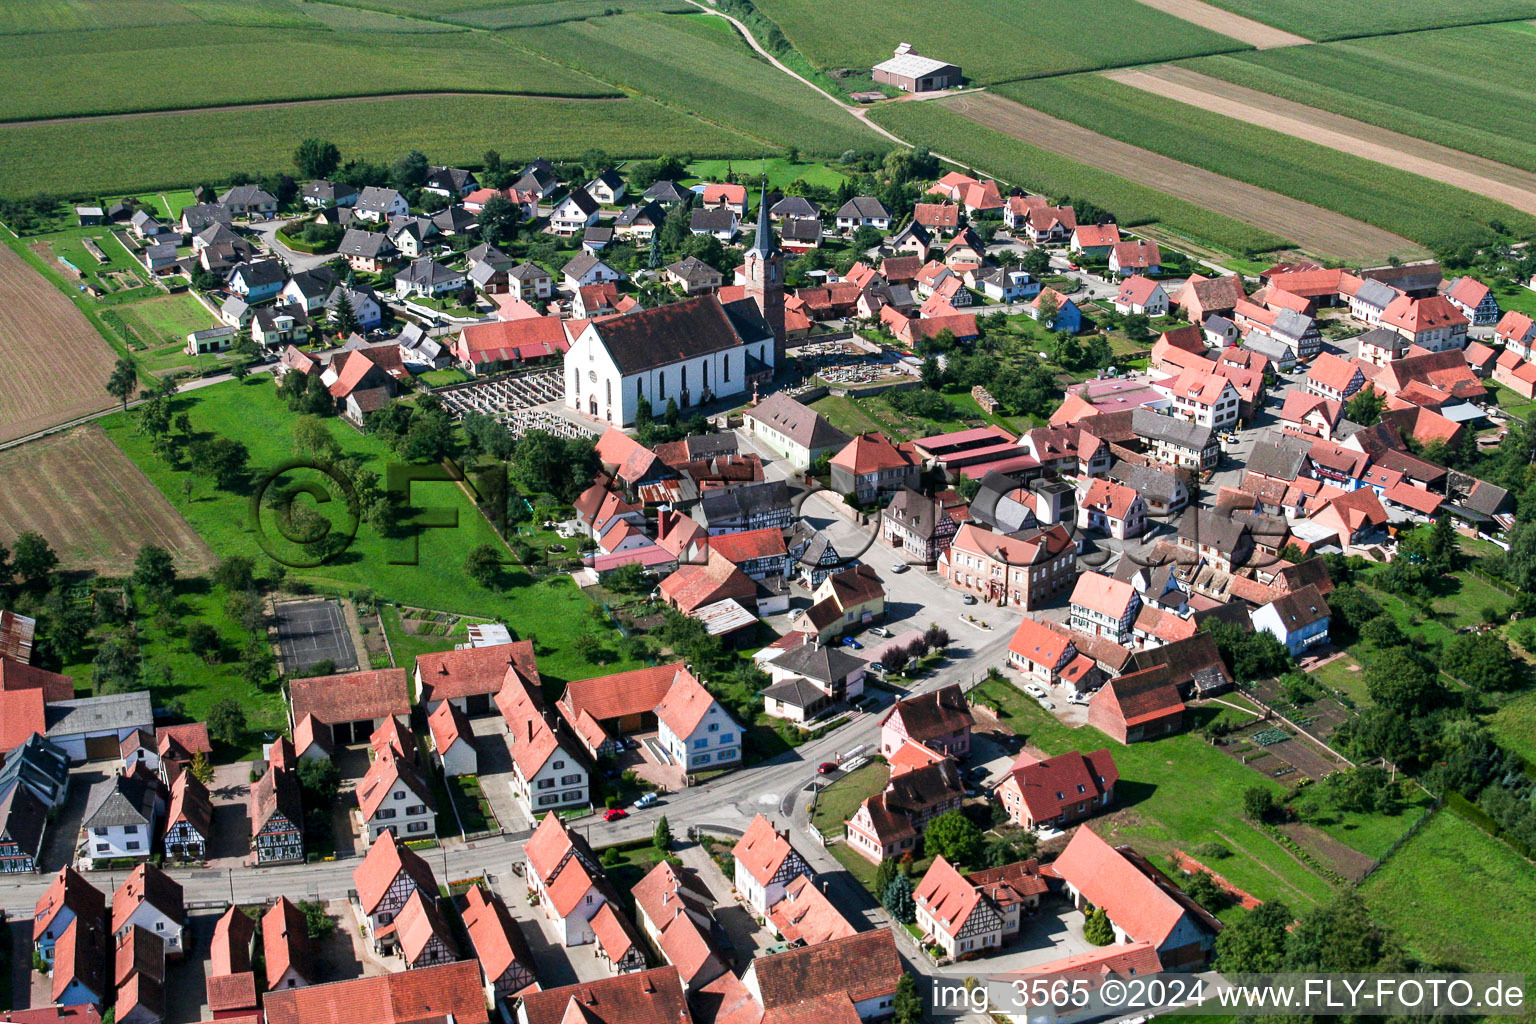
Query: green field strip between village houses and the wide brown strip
point(1041, 171)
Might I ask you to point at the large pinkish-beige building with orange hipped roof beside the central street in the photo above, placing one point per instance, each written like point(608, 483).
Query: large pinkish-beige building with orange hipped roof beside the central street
point(1024, 572)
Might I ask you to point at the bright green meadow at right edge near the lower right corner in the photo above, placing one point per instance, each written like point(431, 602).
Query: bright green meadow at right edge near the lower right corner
point(1468, 922)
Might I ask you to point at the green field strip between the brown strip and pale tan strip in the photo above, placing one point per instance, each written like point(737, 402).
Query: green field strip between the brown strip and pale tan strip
point(1440, 216)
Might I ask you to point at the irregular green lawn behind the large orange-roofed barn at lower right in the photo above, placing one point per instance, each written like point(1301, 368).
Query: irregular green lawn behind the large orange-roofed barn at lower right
point(1176, 793)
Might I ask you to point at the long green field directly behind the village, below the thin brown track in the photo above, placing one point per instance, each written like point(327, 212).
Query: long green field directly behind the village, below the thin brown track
point(110, 156)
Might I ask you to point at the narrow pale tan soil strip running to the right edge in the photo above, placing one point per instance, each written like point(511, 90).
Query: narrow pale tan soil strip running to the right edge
point(1336, 131)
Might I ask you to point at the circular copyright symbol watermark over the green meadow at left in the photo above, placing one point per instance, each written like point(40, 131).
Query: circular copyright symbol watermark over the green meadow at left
point(306, 538)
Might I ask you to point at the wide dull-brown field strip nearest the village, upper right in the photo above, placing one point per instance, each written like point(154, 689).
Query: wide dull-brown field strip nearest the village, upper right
point(1314, 230)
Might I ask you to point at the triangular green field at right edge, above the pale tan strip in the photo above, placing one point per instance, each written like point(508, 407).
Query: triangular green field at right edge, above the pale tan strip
point(1462, 88)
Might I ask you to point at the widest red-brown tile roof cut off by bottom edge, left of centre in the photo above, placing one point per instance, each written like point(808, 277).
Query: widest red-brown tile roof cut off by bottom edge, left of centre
point(426, 996)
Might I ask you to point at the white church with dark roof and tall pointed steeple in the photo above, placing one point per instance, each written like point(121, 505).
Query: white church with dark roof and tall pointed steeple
point(695, 352)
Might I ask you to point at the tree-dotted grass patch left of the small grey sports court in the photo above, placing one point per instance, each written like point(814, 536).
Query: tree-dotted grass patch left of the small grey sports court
point(179, 676)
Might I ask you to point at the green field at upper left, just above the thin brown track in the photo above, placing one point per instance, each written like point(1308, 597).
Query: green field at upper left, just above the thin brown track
point(104, 73)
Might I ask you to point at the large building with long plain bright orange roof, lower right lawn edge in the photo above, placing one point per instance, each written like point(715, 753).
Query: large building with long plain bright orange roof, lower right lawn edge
point(1144, 905)
